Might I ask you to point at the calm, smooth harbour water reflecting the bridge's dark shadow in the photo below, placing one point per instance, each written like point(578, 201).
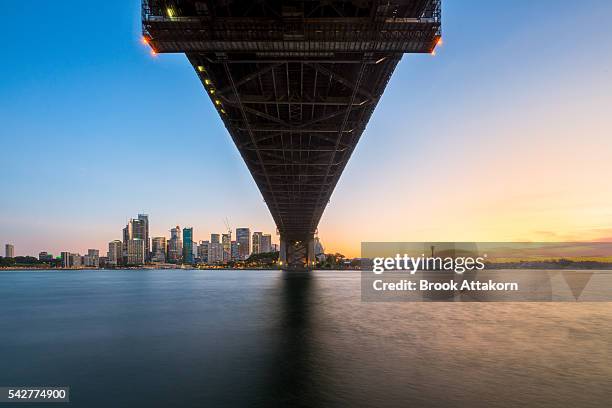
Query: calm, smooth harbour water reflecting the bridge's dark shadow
point(267, 338)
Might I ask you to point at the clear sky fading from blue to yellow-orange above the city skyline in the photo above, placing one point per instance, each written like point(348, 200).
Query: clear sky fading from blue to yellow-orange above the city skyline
point(504, 135)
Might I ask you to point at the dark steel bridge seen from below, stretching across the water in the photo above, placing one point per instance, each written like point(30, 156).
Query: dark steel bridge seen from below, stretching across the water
point(295, 83)
